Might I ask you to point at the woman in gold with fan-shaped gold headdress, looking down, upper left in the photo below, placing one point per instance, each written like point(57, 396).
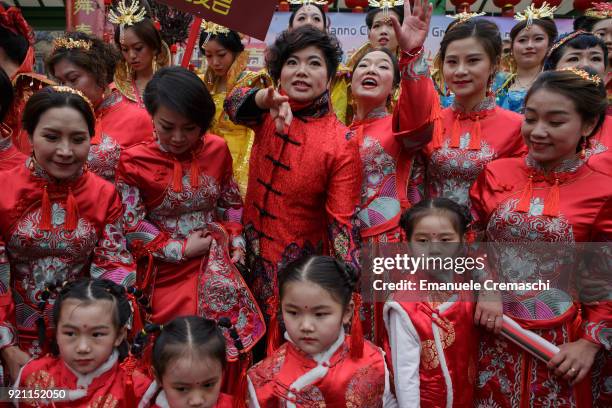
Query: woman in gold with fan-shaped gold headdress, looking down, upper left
point(143, 51)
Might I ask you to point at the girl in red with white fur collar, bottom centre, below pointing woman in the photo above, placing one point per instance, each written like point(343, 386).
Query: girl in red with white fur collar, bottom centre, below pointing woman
point(319, 361)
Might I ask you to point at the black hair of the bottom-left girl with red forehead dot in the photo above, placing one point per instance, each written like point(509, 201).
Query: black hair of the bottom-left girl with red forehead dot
point(91, 290)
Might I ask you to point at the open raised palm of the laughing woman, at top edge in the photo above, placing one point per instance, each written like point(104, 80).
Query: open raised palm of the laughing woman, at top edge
point(413, 32)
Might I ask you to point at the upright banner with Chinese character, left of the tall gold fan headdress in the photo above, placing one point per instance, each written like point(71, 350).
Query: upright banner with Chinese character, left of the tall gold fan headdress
point(86, 16)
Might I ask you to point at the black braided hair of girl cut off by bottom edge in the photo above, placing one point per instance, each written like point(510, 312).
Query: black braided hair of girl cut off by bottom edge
point(188, 333)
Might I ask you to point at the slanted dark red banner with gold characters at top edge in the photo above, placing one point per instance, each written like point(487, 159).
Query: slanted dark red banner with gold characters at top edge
point(240, 15)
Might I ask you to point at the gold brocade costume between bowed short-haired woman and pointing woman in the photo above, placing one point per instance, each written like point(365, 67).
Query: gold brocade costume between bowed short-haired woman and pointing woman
point(239, 138)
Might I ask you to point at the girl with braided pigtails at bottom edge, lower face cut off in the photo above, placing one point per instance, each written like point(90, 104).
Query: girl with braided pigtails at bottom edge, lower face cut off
point(189, 361)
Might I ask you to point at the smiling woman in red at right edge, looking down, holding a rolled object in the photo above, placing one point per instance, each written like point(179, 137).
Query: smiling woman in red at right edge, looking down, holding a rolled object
point(551, 195)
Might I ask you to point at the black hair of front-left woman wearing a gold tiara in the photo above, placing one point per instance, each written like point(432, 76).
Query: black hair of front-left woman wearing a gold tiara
point(49, 98)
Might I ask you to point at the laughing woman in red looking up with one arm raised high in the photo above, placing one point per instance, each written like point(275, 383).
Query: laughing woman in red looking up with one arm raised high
point(386, 145)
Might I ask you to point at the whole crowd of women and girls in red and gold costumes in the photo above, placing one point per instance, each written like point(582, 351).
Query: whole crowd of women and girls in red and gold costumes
point(171, 238)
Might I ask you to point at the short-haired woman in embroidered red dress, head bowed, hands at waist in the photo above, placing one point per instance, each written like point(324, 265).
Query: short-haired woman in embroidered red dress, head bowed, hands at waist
point(183, 212)
